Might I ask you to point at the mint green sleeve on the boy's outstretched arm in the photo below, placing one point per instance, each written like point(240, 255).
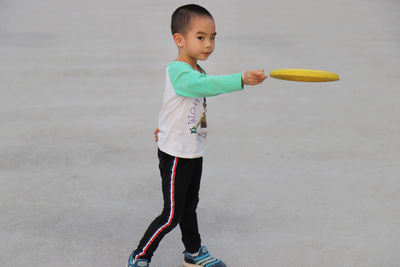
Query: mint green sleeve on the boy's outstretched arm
point(190, 83)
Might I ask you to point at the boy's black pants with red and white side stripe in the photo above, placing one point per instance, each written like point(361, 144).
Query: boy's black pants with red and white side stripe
point(180, 186)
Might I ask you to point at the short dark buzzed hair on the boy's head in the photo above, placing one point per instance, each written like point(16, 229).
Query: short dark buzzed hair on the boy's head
point(182, 15)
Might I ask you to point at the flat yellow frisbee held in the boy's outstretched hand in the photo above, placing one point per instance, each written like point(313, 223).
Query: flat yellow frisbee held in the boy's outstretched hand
point(302, 75)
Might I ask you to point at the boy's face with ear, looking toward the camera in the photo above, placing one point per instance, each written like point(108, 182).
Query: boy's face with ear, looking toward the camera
point(198, 42)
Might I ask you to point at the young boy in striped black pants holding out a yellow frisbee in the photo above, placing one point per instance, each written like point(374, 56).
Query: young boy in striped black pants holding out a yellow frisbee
point(182, 133)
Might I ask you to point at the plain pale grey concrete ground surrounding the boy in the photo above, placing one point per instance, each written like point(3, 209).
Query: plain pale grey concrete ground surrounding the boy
point(296, 174)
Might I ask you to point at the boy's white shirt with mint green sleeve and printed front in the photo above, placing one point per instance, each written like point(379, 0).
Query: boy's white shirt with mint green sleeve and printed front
point(182, 120)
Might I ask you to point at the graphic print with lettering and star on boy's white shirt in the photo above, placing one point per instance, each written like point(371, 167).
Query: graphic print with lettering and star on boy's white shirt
point(198, 127)
